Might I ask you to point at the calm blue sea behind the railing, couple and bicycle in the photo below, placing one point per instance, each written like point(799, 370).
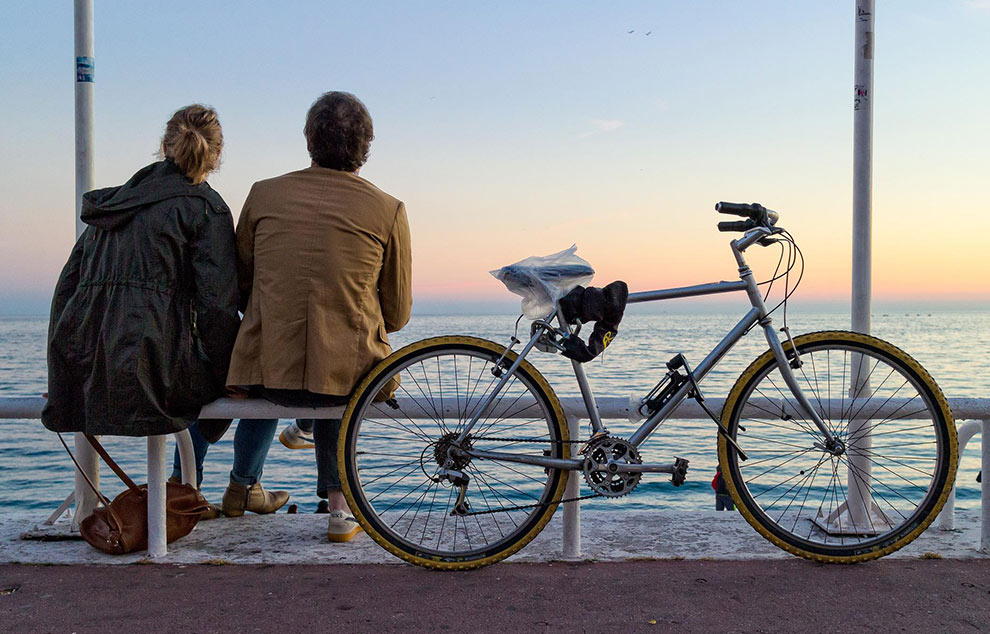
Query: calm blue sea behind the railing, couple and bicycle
point(36, 474)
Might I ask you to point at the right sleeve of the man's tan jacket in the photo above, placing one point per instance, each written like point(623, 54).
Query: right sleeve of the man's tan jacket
point(395, 280)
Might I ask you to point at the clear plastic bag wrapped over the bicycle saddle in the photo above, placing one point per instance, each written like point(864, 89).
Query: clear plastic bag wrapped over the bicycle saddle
point(542, 280)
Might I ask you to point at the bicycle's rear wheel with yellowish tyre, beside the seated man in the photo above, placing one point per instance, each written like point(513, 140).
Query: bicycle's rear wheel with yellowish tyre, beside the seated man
point(391, 453)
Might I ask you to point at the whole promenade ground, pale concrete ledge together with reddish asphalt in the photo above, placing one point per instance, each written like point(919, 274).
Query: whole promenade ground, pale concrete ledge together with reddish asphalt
point(657, 571)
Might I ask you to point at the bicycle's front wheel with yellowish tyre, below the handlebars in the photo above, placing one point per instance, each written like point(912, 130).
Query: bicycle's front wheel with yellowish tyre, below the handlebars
point(887, 486)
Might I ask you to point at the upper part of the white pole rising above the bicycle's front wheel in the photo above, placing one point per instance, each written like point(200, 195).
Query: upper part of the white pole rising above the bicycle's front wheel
point(862, 167)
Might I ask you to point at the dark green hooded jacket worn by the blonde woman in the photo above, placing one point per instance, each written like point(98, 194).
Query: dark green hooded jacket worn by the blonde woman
point(145, 312)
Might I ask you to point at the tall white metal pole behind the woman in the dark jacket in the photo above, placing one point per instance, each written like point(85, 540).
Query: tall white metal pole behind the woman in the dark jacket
point(83, 14)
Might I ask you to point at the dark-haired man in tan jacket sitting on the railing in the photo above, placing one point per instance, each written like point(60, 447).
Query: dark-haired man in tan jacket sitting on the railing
point(324, 262)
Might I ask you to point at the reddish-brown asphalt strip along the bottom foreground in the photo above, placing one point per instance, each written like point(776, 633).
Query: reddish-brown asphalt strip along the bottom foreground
point(788, 596)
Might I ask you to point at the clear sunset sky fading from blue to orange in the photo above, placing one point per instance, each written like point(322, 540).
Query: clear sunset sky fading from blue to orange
point(519, 128)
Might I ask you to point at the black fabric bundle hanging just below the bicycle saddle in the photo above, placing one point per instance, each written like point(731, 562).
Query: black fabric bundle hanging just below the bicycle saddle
point(604, 306)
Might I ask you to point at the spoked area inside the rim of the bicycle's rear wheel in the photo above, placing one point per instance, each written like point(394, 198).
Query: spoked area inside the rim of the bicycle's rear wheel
point(438, 396)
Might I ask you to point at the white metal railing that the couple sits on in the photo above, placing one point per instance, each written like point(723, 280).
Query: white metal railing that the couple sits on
point(974, 410)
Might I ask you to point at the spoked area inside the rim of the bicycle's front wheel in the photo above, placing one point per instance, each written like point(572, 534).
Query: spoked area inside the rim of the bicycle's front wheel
point(882, 480)
